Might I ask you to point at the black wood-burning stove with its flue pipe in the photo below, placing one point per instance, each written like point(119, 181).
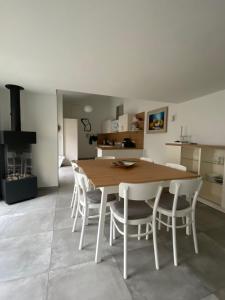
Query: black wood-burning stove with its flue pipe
point(17, 182)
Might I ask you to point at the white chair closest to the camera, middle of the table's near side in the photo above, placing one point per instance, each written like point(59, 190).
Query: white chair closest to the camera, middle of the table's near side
point(132, 209)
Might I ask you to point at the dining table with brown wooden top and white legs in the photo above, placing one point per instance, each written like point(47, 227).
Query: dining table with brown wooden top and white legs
point(104, 175)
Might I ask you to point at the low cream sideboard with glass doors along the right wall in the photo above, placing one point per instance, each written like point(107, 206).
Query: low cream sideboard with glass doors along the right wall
point(208, 162)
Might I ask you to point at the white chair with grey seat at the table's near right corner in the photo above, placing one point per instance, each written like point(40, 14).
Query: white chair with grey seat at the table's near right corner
point(179, 202)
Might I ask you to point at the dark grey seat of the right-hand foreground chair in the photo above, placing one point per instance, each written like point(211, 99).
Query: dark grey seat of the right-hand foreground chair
point(166, 201)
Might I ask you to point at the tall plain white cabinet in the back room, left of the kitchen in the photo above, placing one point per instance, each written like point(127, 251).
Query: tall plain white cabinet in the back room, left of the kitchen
point(70, 132)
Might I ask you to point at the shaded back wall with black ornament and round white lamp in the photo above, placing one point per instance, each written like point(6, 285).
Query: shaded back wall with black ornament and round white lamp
point(102, 110)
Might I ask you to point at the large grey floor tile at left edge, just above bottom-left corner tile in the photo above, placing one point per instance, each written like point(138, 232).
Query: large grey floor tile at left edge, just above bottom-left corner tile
point(24, 256)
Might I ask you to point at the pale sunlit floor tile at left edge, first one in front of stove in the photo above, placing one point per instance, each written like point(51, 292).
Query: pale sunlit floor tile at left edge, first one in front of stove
point(26, 223)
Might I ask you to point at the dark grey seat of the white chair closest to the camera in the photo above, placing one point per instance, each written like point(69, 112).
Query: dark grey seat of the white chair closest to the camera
point(136, 209)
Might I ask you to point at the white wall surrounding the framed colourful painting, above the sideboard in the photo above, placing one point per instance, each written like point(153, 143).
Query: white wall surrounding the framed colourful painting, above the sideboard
point(203, 118)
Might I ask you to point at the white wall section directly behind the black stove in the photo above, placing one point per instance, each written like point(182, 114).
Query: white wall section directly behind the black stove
point(38, 113)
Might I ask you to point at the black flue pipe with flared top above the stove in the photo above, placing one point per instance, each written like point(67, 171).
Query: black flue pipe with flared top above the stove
point(15, 106)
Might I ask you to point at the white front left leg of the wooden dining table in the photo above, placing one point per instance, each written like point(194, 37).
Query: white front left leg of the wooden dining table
point(101, 225)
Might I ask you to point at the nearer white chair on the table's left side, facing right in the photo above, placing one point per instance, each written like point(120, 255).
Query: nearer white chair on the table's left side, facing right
point(86, 200)
